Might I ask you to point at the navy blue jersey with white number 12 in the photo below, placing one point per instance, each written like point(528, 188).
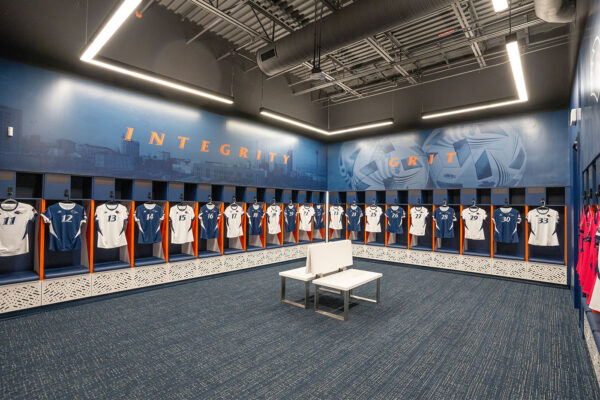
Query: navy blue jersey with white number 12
point(65, 220)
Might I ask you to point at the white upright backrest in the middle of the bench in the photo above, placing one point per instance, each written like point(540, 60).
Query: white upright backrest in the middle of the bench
point(324, 258)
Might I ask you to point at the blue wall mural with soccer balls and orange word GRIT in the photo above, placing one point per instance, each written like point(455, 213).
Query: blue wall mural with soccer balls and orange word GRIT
point(523, 151)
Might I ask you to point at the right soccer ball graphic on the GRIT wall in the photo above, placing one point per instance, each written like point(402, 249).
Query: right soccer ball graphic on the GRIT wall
point(486, 156)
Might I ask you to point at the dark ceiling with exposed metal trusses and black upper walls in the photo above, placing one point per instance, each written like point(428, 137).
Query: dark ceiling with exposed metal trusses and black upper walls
point(175, 39)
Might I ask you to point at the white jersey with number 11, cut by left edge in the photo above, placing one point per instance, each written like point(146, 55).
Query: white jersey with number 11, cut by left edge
point(14, 232)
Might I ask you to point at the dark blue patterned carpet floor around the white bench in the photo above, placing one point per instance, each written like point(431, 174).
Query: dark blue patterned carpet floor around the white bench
point(436, 335)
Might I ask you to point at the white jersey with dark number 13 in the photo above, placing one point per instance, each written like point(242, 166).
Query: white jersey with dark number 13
point(111, 220)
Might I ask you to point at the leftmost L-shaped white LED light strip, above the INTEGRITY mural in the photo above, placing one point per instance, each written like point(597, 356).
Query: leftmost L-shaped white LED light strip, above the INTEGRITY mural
point(114, 23)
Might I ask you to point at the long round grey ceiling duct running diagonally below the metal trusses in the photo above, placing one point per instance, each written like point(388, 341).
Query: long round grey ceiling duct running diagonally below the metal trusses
point(349, 25)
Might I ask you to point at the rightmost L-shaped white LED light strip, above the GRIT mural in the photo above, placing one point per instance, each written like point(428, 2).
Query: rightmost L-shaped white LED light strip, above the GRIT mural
point(514, 57)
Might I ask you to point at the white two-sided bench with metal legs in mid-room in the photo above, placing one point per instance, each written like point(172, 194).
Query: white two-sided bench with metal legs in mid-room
point(326, 265)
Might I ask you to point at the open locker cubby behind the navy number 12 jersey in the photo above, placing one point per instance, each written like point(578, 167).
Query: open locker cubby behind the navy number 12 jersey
point(59, 264)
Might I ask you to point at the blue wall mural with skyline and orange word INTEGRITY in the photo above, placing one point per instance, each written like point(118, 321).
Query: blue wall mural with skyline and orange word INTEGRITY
point(69, 125)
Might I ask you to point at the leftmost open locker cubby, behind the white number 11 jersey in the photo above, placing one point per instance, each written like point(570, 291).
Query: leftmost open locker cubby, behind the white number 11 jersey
point(22, 267)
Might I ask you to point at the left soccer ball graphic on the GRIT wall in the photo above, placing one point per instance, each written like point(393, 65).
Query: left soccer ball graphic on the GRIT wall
point(366, 164)
